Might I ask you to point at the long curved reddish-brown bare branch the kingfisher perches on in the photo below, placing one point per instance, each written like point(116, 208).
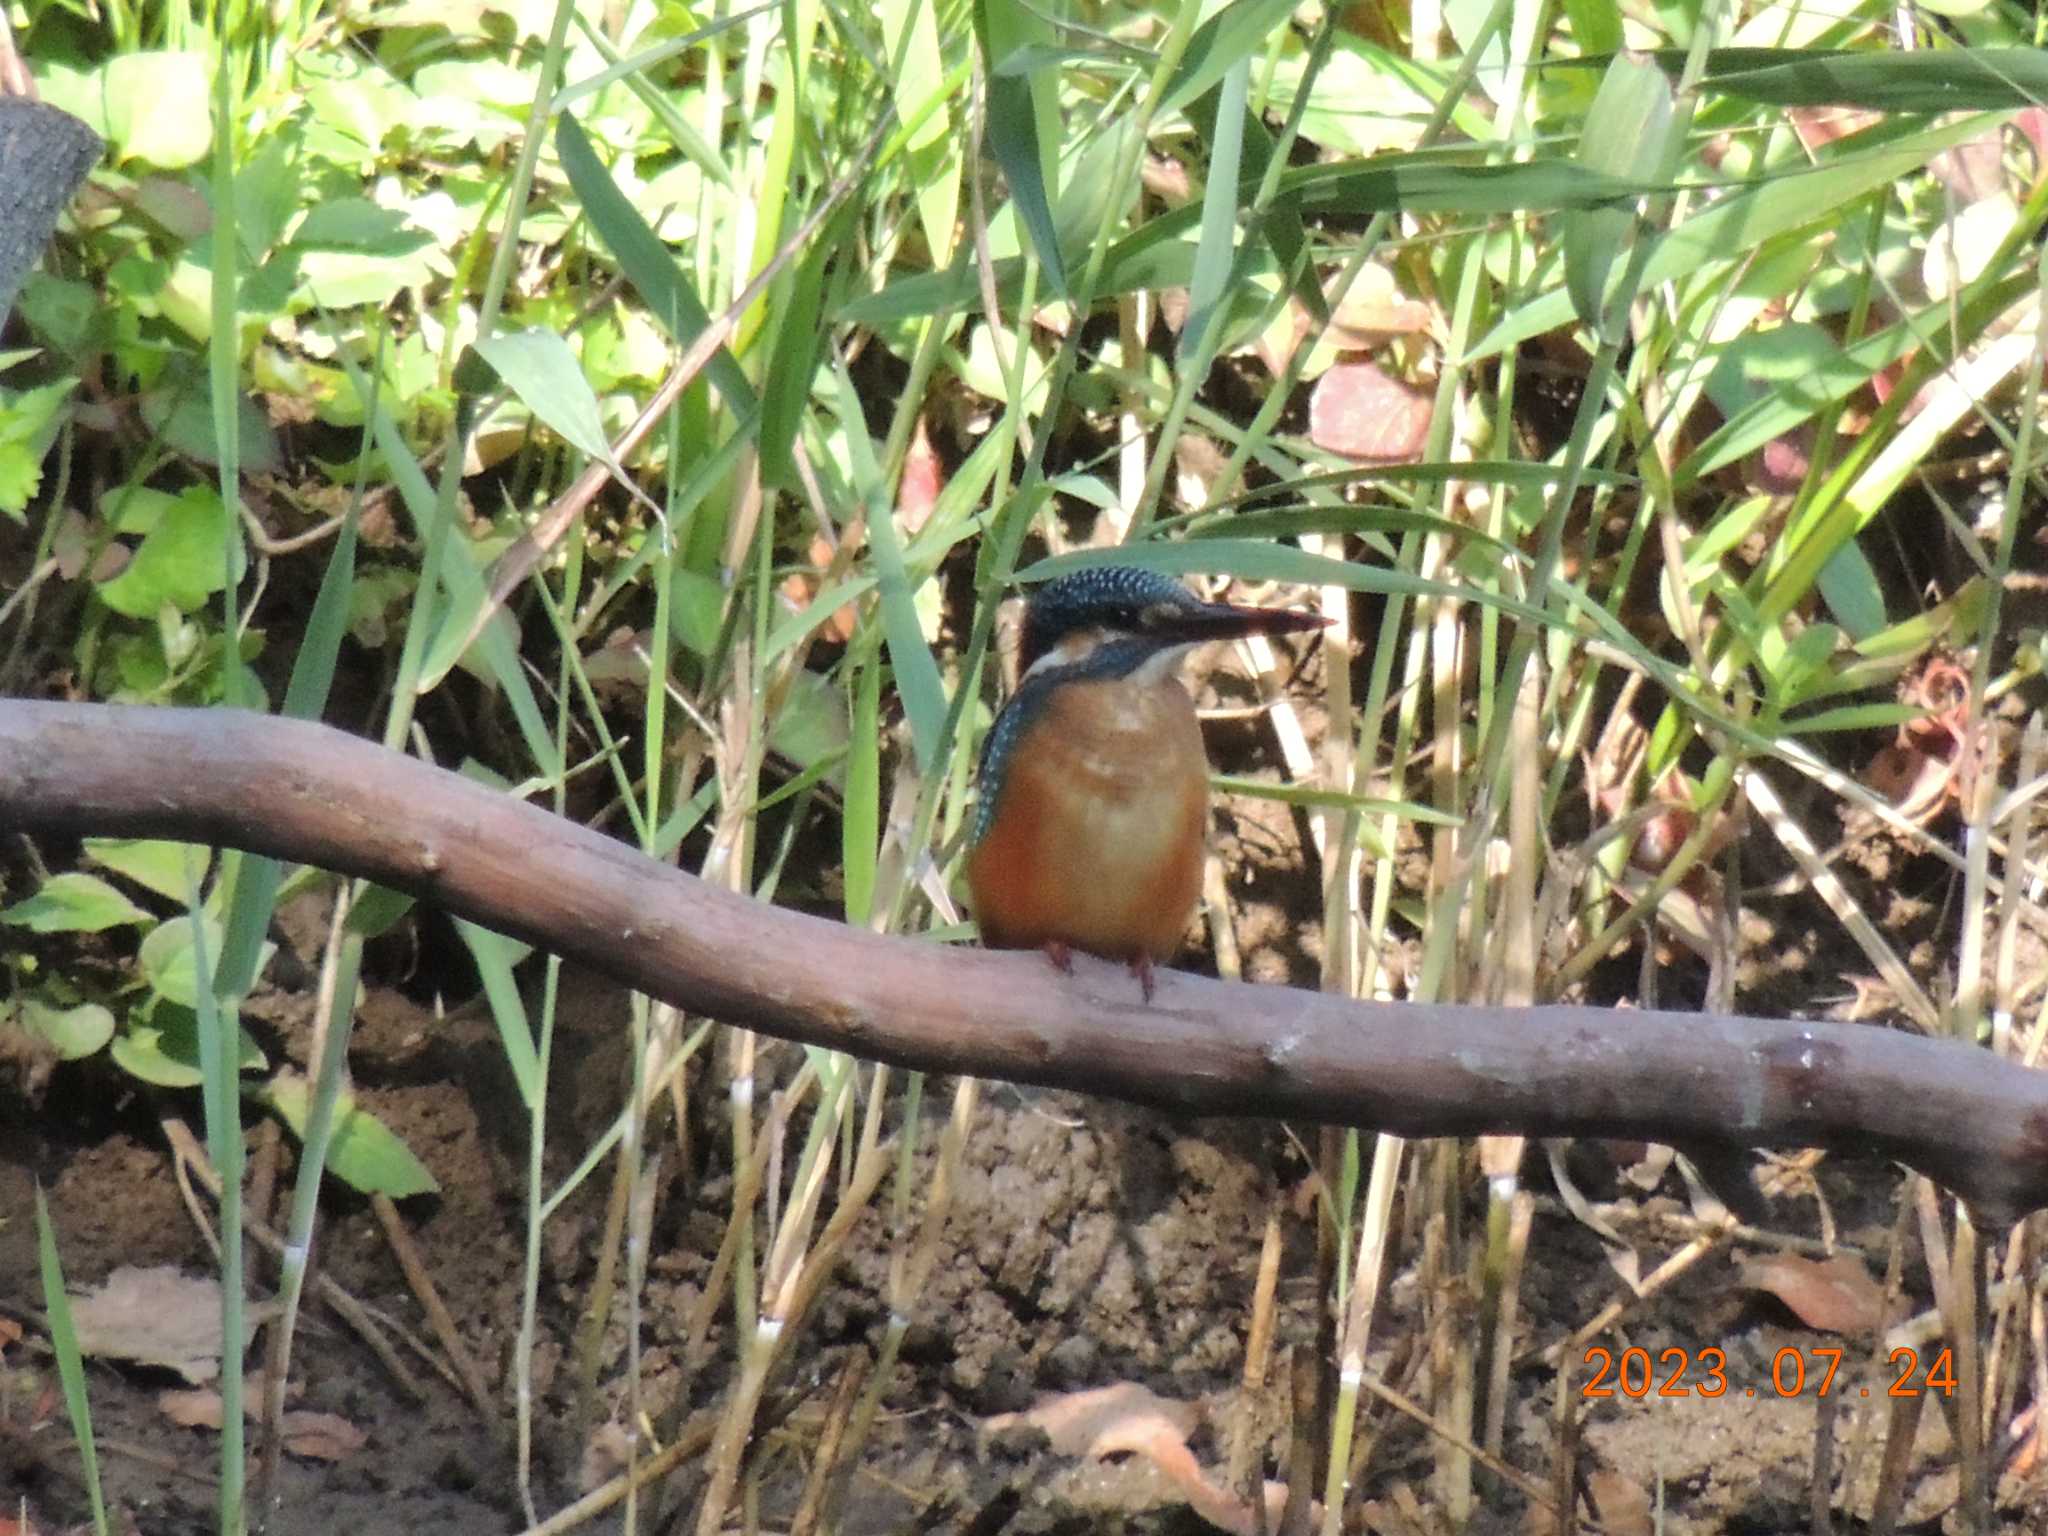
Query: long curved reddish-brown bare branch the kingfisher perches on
point(314, 796)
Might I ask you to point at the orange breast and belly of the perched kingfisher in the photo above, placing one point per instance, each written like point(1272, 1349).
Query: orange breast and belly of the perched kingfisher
point(1097, 839)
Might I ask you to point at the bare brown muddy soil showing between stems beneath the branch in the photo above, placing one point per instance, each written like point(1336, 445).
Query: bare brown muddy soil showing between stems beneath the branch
point(1091, 1244)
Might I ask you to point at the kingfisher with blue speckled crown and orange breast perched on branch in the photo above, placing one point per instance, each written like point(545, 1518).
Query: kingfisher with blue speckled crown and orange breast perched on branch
point(1093, 806)
